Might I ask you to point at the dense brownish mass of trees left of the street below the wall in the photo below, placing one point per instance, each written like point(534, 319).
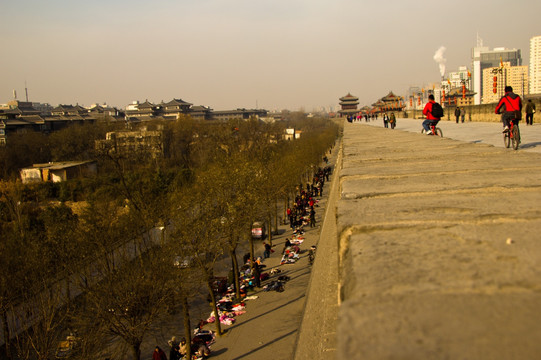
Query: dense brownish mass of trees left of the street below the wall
point(105, 271)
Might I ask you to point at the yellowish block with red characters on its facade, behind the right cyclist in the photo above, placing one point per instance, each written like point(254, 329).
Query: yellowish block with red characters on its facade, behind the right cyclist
point(514, 76)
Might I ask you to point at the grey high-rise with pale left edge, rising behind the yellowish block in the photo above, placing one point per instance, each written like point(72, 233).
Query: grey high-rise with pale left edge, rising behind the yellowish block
point(483, 58)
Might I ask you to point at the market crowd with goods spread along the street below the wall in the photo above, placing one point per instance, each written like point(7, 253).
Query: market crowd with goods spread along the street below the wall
point(252, 271)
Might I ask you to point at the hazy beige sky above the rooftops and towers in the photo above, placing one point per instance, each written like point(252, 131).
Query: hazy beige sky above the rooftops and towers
point(273, 54)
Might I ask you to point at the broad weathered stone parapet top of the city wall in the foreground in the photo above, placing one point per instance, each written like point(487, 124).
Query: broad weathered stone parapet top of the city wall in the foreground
point(438, 246)
